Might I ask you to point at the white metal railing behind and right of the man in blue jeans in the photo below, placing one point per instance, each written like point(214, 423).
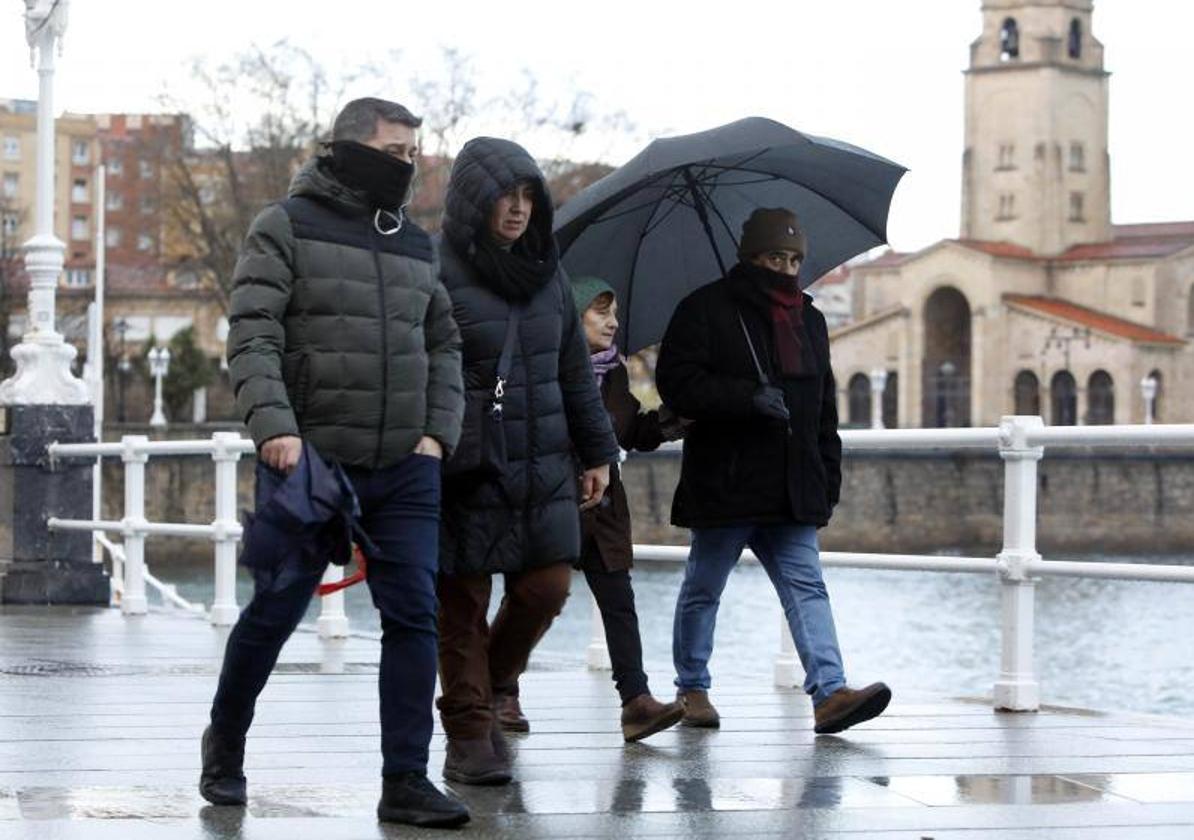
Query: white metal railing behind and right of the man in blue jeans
point(1021, 443)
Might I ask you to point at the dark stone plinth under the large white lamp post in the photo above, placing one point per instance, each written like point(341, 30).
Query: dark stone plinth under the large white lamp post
point(40, 566)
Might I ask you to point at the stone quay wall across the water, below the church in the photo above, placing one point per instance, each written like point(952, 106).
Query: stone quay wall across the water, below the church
point(1115, 503)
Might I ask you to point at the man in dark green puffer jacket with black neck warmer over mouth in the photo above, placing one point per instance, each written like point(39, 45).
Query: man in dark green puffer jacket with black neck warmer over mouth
point(343, 339)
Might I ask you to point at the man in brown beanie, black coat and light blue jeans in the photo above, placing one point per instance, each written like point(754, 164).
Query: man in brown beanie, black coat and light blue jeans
point(747, 360)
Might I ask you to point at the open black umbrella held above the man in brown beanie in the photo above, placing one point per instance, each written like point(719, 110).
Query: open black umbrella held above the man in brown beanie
point(667, 223)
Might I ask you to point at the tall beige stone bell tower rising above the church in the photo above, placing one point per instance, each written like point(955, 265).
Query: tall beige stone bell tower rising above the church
point(1036, 168)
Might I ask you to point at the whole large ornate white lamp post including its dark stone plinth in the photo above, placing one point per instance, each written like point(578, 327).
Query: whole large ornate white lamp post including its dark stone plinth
point(44, 400)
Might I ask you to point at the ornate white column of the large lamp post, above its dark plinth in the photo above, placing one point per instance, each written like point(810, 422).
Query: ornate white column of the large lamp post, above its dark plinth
point(44, 359)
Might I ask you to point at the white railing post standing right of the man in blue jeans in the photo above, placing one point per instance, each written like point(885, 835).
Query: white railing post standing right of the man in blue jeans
point(1017, 690)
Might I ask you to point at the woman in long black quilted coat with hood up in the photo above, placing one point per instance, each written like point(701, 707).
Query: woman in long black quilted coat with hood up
point(501, 267)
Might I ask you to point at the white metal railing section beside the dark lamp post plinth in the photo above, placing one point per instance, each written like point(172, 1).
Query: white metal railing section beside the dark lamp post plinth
point(225, 532)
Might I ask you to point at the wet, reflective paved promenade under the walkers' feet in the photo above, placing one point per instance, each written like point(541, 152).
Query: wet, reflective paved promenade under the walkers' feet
point(101, 717)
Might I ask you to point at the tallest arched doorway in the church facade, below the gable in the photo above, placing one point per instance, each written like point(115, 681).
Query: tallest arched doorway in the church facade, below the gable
point(946, 369)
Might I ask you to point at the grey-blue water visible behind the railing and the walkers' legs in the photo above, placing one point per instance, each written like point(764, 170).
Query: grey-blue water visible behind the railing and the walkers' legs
point(1100, 645)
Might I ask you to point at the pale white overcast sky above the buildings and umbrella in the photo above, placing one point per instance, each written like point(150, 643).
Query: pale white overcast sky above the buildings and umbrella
point(883, 75)
